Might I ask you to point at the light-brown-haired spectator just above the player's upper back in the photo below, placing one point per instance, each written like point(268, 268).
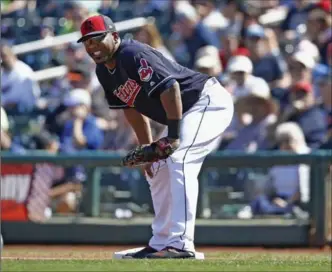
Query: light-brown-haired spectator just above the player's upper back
point(150, 35)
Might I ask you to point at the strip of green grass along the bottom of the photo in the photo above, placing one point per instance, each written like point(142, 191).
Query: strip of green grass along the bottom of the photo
point(215, 262)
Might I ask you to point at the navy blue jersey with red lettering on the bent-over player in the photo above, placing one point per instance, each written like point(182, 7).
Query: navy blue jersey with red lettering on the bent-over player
point(141, 74)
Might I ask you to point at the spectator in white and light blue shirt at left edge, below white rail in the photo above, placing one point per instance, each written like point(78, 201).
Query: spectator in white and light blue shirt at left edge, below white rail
point(19, 89)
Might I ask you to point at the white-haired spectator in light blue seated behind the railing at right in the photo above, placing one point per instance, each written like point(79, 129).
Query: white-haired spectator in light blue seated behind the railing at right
point(288, 185)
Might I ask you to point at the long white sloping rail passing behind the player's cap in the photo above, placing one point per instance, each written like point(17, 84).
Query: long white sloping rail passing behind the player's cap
point(73, 37)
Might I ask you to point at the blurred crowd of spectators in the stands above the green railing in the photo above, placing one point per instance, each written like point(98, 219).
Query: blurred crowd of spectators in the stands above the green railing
point(274, 56)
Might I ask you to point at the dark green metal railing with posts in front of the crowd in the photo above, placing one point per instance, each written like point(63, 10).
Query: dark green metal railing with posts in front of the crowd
point(318, 162)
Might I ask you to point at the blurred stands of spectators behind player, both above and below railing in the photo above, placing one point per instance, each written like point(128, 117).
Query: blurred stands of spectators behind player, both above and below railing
point(274, 56)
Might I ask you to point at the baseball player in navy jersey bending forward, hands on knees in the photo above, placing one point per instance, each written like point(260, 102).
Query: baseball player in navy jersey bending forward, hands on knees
point(196, 110)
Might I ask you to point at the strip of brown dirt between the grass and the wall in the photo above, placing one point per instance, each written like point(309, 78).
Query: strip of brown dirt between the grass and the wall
point(67, 252)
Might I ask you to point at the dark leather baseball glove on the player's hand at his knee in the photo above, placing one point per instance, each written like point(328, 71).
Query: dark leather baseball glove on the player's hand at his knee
point(143, 154)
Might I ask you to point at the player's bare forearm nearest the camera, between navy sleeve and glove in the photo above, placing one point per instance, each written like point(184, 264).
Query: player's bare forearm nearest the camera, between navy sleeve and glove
point(172, 103)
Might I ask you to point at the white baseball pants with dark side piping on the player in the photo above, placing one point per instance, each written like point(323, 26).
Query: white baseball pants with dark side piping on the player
point(174, 187)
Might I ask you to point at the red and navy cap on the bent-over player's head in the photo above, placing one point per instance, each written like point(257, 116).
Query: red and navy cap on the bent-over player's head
point(96, 25)
